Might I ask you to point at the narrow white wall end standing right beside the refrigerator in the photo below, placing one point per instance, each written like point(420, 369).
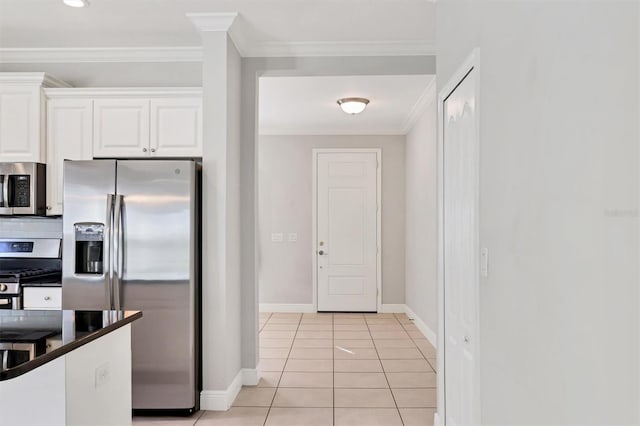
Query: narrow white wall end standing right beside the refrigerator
point(221, 292)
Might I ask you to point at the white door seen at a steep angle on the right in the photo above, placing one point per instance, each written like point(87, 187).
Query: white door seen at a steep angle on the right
point(460, 247)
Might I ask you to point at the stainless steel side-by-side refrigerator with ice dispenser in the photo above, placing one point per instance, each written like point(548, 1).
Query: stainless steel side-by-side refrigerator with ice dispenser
point(131, 242)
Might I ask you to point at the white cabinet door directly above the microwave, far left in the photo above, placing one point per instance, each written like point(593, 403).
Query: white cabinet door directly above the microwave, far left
point(20, 138)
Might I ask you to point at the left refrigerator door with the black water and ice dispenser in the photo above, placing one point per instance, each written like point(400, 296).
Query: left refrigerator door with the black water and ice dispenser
point(87, 185)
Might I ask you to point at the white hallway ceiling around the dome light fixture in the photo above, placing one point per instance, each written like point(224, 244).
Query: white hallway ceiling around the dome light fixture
point(307, 105)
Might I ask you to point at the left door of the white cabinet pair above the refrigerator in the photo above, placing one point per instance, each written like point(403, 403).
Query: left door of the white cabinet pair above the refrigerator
point(121, 128)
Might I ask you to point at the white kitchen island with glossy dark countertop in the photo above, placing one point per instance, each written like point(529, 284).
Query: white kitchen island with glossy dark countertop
point(65, 367)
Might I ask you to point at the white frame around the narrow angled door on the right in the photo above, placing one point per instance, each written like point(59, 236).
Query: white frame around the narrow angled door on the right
point(471, 63)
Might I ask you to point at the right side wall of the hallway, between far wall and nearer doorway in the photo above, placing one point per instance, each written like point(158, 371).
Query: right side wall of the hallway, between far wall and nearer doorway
point(421, 222)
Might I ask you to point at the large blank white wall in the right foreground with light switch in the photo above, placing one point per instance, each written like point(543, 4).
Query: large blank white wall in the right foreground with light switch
point(558, 205)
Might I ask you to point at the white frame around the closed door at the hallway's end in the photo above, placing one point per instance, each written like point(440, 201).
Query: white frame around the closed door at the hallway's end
point(314, 218)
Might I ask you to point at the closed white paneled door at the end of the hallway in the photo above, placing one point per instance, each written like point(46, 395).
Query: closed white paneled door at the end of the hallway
point(347, 231)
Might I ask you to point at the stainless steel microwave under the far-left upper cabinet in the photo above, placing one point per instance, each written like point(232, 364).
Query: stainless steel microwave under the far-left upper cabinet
point(22, 189)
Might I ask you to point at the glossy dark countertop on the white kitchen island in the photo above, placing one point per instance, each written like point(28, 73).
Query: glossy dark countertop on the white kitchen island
point(74, 328)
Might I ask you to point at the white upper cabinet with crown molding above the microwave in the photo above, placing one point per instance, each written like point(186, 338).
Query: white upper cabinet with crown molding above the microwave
point(22, 129)
